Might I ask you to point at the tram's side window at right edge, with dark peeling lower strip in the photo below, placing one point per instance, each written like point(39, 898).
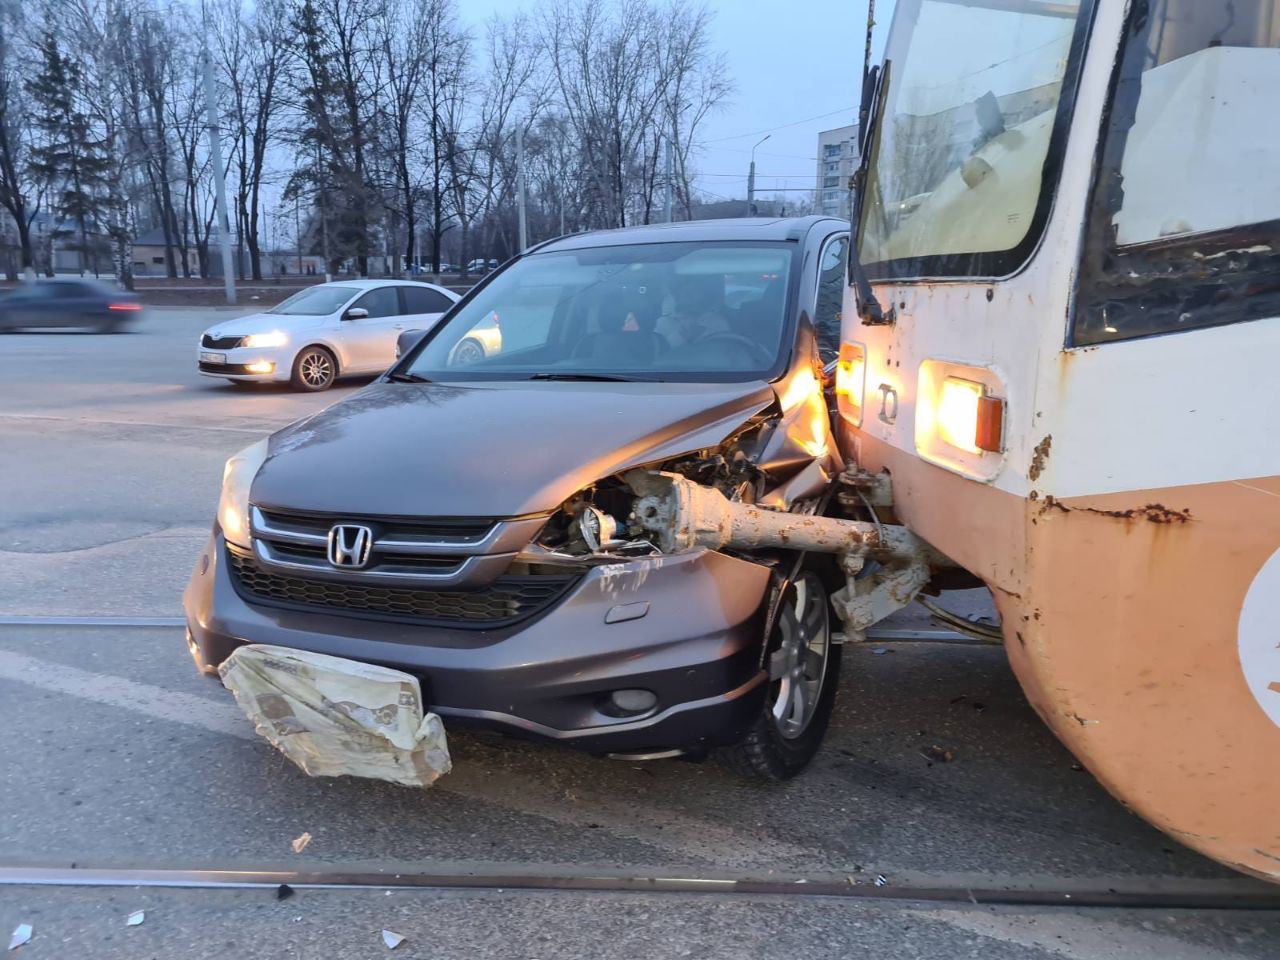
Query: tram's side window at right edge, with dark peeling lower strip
point(1185, 221)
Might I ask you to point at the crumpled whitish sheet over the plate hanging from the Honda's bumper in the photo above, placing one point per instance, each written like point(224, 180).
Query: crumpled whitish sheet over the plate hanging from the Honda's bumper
point(336, 717)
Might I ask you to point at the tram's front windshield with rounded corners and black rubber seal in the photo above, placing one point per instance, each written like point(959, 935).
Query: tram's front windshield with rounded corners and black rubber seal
point(962, 168)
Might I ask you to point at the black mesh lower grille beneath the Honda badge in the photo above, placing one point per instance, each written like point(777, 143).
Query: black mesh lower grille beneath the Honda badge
point(502, 604)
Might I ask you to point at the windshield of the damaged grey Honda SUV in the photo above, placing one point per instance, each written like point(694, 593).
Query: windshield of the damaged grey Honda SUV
point(711, 312)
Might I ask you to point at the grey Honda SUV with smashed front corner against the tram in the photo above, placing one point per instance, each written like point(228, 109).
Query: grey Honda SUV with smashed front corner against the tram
point(476, 518)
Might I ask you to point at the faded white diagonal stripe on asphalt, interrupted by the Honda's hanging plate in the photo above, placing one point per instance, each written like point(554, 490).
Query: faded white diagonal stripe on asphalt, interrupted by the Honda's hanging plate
point(689, 838)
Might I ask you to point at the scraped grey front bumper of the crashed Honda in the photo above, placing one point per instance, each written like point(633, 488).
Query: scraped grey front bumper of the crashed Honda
point(698, 648)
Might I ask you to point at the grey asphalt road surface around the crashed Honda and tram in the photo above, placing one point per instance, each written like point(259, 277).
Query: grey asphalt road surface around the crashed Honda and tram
point(118, 755)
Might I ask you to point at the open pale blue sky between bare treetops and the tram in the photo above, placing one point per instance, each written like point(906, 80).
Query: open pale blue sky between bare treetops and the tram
point(797, 67)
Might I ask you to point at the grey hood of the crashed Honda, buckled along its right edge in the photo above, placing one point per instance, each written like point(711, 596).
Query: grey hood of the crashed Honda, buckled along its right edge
point(502, 450)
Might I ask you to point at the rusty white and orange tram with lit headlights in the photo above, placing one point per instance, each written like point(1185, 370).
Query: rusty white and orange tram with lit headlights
point(1071, 371)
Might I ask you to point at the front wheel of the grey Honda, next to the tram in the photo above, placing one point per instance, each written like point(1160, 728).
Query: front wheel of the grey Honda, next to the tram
point(798, 707)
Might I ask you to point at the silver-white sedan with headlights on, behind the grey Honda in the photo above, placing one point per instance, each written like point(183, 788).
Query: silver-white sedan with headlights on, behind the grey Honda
point(323, 332)
